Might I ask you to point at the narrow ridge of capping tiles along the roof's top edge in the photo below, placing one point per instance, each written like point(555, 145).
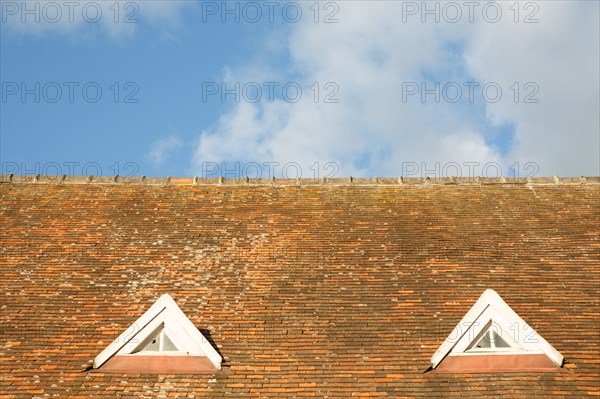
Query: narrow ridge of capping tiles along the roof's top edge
point(347, 181)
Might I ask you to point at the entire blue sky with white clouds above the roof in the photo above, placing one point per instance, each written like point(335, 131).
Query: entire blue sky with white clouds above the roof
point(386, 88)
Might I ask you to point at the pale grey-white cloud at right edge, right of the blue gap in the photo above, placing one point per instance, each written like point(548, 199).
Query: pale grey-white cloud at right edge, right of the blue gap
point(560, 56)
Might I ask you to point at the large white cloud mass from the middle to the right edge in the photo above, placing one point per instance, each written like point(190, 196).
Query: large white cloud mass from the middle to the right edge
point(370, 53)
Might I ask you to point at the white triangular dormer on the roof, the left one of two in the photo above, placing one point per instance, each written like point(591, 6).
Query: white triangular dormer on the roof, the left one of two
point(164, 341)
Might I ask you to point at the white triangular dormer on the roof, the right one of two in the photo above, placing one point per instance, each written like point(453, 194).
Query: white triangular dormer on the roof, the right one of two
point(491, 337)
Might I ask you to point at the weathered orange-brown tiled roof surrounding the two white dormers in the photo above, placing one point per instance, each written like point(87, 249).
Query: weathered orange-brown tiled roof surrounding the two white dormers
point(337, 288)
